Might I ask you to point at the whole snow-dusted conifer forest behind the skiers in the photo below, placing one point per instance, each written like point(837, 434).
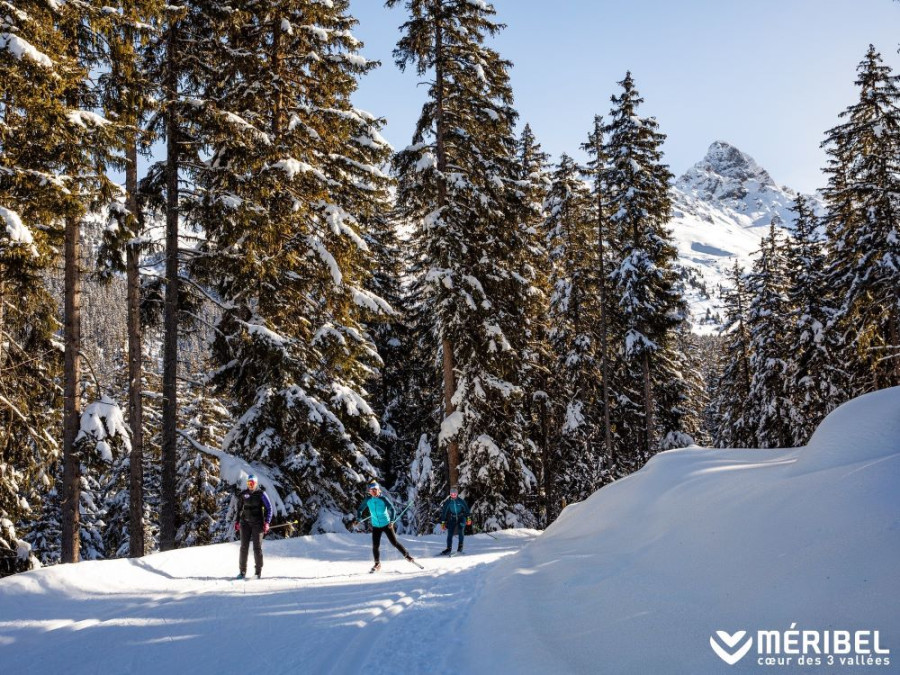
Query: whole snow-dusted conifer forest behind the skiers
point(212, 263)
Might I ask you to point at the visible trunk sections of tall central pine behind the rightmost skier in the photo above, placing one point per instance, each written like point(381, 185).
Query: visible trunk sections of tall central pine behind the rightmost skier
point(446, 344)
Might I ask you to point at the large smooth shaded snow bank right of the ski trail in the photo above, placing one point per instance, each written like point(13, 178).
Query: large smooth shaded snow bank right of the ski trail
point(638, 577)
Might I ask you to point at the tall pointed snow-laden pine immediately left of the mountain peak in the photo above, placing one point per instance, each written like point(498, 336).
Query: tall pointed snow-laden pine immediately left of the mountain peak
point(646, 282)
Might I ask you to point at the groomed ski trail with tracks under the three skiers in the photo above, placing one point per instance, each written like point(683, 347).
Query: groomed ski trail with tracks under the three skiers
point(316, 609)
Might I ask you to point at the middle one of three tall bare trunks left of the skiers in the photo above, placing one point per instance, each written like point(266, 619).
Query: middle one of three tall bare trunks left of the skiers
point(136, 546)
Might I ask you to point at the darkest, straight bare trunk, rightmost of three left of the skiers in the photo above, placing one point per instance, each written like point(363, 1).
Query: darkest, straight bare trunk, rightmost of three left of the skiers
point(168, 501)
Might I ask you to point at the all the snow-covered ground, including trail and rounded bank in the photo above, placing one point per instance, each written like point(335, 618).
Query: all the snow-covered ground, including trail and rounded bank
point(701, 558)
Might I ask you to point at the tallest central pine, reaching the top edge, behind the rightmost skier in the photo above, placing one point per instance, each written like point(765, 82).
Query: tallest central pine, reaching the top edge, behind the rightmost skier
point(457, 186)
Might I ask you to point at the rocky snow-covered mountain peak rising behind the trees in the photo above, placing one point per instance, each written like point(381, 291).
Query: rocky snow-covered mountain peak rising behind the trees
point(722, 207)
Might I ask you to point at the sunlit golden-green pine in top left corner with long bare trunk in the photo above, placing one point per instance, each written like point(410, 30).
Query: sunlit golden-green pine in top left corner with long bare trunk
point(54, 144)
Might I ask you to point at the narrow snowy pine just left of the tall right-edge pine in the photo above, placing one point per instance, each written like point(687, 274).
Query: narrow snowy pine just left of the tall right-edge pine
point(816, 381)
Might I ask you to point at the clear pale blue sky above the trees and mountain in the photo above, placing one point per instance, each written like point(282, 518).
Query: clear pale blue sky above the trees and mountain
point(768, 76)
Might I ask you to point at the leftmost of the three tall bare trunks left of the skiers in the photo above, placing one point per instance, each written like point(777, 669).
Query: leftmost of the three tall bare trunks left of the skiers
point(71, 487)
